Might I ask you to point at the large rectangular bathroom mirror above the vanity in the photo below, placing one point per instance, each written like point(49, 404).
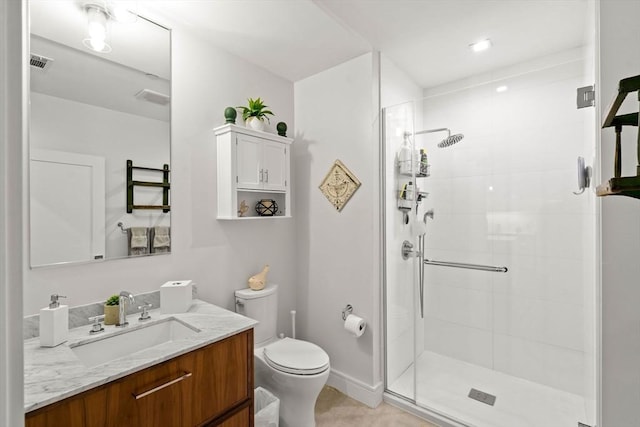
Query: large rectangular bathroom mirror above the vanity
point(90, 112)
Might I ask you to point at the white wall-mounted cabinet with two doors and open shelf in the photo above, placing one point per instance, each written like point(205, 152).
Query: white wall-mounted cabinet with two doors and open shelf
point(252, 166)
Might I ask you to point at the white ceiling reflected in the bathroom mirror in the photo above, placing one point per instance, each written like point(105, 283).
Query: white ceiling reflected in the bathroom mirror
point(109, 80)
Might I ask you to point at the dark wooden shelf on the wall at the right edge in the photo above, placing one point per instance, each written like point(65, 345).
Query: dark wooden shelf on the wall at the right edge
point(622, 185)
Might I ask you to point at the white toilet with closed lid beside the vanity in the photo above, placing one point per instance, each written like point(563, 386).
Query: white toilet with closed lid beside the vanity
point(293, 370)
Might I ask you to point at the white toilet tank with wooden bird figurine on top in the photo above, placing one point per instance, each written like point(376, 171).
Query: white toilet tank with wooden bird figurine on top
point(262, 306)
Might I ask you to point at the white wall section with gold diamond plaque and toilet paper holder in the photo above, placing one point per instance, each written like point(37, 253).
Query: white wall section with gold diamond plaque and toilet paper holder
point(337, 251)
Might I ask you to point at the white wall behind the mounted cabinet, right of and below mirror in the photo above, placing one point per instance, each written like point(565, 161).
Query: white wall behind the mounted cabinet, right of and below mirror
point(218, 255)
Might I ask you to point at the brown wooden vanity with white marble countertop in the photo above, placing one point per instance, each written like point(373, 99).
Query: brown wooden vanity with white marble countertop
point(208, 383)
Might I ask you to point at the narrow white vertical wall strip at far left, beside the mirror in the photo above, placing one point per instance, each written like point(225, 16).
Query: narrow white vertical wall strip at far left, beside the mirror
point(13, 22)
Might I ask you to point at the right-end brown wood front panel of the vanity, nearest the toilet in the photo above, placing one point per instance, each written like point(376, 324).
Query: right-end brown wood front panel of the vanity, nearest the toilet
point(223, 377)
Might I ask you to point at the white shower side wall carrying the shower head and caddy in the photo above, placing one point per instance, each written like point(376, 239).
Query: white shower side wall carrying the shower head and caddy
point(396, 89)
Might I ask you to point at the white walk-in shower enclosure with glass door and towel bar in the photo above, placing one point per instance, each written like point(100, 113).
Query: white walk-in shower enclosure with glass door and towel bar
point(490, 257)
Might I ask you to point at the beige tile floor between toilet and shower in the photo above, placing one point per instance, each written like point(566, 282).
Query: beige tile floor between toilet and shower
point(334, 409)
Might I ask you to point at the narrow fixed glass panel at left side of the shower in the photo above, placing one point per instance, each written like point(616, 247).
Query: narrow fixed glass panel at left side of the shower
point(401, 297)
